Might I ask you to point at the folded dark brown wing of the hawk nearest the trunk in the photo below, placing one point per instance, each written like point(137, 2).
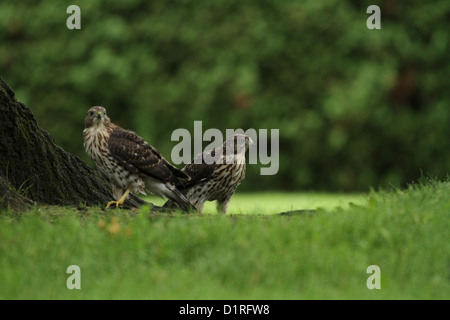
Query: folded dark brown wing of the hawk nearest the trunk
point(136, 155)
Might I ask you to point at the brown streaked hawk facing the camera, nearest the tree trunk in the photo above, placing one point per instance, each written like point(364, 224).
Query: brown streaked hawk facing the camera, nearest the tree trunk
point(128, 162)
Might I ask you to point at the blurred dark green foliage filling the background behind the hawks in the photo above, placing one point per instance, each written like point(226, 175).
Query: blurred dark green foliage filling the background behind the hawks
point(355, 107)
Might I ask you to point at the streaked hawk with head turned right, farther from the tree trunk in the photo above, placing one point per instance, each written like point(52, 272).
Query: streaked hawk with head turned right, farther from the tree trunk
point(215, 174)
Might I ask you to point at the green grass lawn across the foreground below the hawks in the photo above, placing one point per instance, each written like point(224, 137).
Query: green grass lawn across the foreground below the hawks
point(249, 254)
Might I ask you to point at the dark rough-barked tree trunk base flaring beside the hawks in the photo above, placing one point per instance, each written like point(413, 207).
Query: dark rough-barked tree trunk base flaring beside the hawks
point(33, 167)
